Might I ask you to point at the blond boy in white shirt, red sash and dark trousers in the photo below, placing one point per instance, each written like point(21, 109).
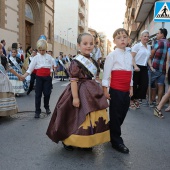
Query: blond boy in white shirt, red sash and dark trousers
point(43, 63)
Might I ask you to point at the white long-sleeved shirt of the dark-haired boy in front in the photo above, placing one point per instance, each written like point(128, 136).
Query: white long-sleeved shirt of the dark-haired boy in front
point(117, 60)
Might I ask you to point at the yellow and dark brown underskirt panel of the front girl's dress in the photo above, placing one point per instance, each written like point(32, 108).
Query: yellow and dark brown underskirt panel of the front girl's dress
point(93, 131)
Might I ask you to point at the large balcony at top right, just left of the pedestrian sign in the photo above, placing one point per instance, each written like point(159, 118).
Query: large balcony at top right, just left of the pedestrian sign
point(142, 9)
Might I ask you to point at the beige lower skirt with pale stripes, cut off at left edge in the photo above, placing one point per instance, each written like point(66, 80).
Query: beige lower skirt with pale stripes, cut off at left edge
point(8, 105)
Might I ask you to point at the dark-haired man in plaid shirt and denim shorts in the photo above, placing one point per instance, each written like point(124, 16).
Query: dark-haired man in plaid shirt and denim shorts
point(158, 64)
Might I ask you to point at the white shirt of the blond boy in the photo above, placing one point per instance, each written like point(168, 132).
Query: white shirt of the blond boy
point(40, 61)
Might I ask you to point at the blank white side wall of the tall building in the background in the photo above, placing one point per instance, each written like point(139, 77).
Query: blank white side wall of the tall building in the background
point(66, 16)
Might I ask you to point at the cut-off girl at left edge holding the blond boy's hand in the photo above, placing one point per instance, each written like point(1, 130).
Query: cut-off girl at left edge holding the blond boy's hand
point(8, 105)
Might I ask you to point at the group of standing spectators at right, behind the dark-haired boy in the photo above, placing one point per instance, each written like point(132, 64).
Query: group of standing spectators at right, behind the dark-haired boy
point(152, 68)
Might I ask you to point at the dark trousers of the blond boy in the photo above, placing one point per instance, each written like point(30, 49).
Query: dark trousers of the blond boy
point(43, 85)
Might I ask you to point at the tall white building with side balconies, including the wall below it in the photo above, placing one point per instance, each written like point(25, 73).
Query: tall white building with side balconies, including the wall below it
point(71, 19)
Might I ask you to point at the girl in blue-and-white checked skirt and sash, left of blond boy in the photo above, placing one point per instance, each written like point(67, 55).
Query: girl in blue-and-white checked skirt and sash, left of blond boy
point(16, 63)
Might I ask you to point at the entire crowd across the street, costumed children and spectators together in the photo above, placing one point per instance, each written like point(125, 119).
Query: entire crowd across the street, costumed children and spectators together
point(130, 74)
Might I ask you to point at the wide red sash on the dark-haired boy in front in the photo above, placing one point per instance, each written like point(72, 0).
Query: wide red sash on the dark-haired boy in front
point(120, 80)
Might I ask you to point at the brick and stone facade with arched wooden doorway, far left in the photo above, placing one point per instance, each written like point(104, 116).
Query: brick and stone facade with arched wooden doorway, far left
point(23, 21)
